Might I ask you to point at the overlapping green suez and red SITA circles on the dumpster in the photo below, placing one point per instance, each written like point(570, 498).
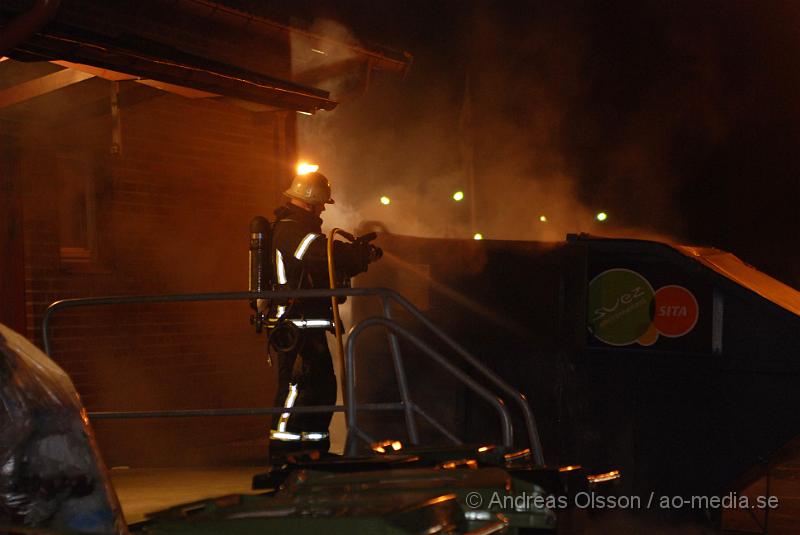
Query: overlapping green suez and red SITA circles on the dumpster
point(624, 309)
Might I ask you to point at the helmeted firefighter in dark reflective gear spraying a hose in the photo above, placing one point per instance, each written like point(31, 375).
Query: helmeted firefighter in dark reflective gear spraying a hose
point(305, 368)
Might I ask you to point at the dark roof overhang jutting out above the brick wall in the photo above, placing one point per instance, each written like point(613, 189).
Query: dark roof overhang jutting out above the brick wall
point(191, 47)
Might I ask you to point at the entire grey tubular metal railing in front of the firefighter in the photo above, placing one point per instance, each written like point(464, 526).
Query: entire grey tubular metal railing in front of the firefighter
point(351, 407)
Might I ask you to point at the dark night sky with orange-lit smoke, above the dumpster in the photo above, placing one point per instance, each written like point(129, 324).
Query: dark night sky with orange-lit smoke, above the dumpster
point(679, 119)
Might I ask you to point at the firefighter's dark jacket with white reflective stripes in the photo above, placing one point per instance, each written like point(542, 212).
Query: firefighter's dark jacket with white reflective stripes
point(300, 257)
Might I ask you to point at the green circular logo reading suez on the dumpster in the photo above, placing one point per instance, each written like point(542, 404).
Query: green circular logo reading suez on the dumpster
point(619, 306)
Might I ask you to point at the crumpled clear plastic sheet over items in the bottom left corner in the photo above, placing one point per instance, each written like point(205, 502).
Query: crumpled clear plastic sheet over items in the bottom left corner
point(51, 473)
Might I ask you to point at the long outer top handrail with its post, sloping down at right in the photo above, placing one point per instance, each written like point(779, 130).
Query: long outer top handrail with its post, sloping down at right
point(385, 293)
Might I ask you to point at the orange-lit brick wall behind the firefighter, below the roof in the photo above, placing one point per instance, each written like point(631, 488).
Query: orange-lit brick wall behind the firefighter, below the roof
point(172, 212)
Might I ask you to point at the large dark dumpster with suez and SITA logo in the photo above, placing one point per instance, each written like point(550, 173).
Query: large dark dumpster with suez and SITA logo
point(675, 364)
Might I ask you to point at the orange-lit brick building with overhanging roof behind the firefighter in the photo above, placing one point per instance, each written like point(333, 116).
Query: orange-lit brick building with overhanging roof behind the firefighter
point(136, 142)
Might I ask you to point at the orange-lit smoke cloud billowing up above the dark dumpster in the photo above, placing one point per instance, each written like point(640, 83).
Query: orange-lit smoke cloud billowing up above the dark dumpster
point(495, 130)
